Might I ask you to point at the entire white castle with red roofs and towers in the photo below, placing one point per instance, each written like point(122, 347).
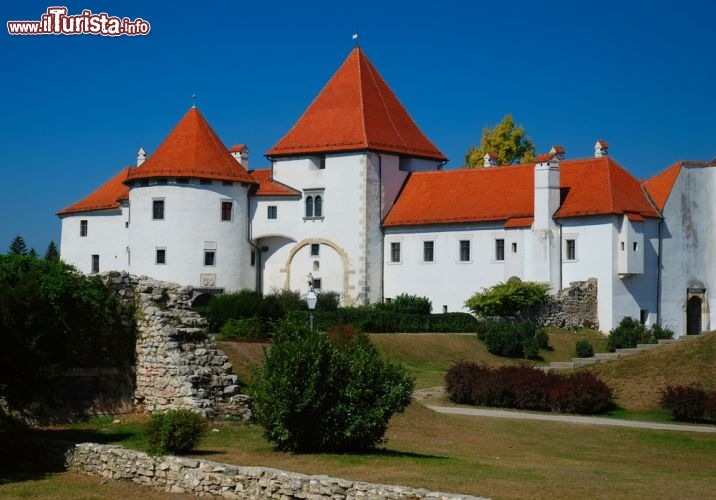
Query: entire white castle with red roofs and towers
point(356, 199)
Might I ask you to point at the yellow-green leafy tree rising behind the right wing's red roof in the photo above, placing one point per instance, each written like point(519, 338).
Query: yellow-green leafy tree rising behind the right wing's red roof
point(505, 140)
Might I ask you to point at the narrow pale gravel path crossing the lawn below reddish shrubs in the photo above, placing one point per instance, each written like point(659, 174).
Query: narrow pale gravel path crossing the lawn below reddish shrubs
point(575, 419)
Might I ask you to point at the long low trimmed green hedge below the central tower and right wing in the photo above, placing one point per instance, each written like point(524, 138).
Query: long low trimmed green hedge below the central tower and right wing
point(375, 320)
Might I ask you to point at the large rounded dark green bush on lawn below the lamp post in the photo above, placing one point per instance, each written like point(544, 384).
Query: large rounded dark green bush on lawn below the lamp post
point(326, 393)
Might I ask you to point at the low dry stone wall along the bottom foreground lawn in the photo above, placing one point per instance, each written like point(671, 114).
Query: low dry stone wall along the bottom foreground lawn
point(203, 477)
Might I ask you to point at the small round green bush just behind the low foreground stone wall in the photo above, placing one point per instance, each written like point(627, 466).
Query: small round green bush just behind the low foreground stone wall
point(176, 431)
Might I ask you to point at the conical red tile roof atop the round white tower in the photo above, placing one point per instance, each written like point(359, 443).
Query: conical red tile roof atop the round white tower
point(192, 149)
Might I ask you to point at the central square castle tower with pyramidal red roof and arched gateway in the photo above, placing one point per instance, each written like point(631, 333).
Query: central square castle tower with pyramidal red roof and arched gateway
point(347, 157)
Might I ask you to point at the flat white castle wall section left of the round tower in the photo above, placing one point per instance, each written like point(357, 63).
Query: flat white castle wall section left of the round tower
point(107, 237)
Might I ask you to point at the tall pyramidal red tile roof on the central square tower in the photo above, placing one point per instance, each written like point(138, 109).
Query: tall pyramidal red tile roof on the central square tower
point(356, 110)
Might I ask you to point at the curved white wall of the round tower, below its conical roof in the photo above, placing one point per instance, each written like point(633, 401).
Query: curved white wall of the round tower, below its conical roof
point(192, 220)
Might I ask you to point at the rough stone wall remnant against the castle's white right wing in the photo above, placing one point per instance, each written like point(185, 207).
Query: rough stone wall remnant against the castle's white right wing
point(573, 307)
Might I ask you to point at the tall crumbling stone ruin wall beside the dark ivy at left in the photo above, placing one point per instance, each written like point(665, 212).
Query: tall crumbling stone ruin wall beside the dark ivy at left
point(177, 362)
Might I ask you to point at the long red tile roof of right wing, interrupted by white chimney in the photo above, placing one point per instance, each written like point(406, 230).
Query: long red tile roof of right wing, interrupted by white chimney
point(594, 186)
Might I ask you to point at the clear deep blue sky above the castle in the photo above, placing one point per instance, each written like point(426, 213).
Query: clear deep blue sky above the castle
point(76, 108)
